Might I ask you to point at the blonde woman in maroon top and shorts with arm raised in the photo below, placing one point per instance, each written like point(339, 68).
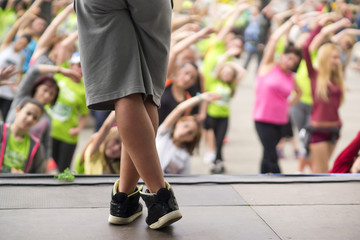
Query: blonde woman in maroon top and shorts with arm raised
point(327, 86)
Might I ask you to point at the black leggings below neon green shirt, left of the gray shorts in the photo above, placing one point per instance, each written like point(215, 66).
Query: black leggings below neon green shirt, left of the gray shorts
point(62, 154)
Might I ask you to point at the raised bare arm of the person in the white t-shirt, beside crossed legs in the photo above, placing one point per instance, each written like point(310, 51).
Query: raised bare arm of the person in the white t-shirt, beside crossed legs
point(175, 114)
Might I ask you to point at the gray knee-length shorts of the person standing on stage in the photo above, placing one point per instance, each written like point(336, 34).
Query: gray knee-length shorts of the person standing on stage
point(124, 48)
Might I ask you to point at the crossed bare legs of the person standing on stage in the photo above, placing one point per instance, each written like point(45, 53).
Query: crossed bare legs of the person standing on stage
point(137, 123)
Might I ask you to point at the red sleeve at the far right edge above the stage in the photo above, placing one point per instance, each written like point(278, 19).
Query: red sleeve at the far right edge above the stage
point(345, 160)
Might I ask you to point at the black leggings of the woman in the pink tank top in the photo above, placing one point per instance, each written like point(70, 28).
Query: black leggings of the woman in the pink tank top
point(269, 135)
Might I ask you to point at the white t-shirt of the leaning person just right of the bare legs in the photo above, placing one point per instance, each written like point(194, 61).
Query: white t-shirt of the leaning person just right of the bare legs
point(172, 159)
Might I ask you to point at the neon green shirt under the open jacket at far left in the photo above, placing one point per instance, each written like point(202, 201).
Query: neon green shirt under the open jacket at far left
point(16, 153)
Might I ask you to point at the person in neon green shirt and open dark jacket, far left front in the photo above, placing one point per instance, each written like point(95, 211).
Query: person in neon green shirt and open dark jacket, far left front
point(20, 152)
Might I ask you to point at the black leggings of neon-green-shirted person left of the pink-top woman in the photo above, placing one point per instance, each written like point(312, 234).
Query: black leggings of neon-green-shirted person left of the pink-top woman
point(220, 126)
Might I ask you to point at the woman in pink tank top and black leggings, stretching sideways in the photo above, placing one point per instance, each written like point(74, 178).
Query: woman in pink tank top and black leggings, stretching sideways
point(275, 82)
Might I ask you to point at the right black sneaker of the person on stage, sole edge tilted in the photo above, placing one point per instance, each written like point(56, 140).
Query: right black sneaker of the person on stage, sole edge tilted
point(163, 209)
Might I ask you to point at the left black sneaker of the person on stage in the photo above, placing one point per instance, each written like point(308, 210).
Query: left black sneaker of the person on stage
point(124, 208)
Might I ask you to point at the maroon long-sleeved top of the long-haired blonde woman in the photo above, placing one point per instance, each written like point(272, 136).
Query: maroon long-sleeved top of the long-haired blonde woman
point(323, 111)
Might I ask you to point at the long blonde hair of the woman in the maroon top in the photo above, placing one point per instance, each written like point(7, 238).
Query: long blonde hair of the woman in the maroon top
point(326, 74)
